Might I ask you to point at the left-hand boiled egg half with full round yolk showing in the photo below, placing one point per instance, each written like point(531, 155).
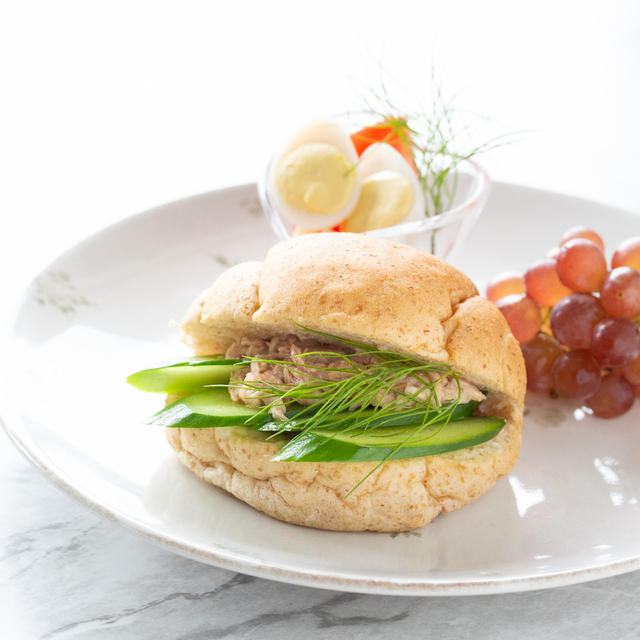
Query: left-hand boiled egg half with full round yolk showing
point(315, 181)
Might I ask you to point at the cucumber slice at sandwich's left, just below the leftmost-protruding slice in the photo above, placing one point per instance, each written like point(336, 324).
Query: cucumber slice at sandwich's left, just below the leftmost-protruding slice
point(210, 408)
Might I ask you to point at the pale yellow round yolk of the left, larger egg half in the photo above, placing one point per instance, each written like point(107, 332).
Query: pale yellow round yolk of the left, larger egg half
point(317, 178)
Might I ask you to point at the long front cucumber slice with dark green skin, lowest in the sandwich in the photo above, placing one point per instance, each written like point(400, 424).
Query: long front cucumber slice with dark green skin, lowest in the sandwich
point(389, 443)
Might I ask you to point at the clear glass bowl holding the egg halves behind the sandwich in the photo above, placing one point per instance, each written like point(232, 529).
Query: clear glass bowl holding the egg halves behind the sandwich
point(440, 234)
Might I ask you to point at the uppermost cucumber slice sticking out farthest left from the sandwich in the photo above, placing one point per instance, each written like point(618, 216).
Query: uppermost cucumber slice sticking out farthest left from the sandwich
point(184, 377)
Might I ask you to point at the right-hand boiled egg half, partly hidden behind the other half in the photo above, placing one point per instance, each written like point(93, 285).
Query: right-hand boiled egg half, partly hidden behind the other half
point(390, 191)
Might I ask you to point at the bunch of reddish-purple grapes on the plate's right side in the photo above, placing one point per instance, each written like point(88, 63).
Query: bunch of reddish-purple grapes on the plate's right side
point(578, 321)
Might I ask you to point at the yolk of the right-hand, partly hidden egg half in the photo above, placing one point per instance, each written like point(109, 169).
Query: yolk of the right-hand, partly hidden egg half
point(385, 199)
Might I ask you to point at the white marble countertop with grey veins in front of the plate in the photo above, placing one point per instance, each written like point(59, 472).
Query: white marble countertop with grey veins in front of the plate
point(67, 573)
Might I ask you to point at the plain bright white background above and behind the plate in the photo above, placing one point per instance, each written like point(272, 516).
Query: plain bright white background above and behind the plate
point(113, 107)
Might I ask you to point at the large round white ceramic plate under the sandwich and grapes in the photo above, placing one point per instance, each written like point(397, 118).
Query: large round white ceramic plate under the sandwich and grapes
point(568, 512)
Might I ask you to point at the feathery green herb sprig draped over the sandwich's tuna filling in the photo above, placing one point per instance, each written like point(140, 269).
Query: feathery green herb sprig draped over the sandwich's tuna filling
point(355, 400)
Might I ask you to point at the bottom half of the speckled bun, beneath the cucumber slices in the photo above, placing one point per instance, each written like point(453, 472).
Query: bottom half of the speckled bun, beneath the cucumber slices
point(400, 495)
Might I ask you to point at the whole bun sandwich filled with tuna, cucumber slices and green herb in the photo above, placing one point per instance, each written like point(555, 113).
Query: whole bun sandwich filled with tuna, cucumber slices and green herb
point(346, 383)
